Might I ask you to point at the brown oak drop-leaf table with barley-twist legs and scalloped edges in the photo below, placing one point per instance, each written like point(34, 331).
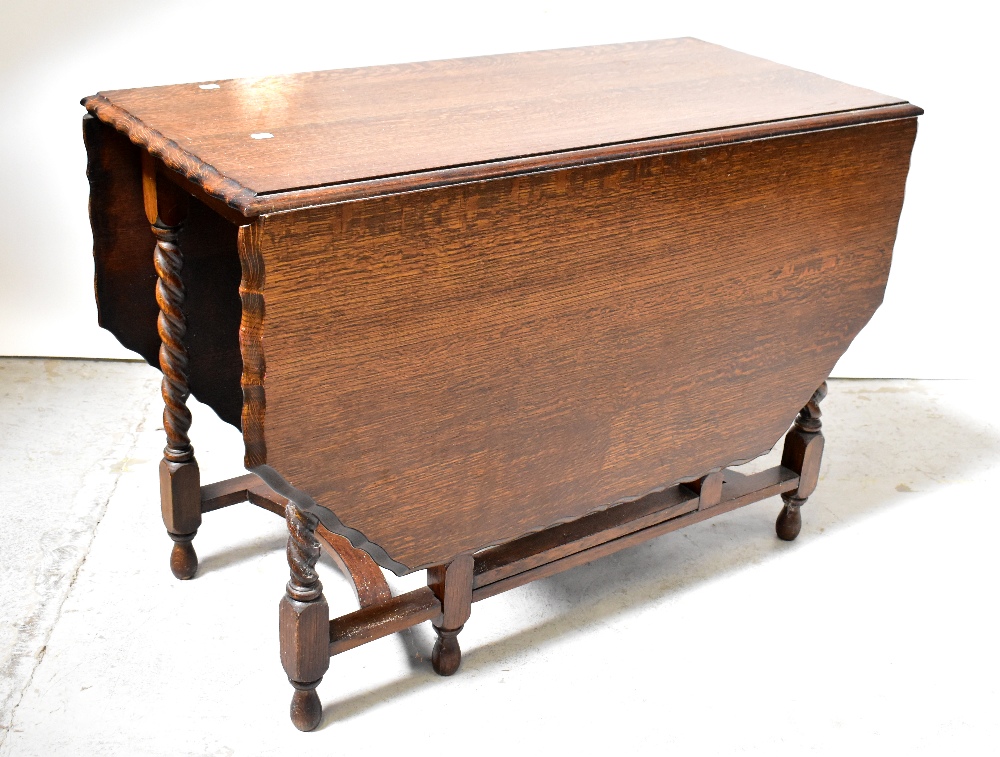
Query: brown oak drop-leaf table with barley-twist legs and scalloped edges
point(495, 317)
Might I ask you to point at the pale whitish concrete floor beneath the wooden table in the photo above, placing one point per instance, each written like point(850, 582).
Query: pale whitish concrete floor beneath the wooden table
point(876, 628)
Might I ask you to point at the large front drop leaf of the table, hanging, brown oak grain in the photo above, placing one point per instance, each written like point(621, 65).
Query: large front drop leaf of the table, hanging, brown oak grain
point(454, 368)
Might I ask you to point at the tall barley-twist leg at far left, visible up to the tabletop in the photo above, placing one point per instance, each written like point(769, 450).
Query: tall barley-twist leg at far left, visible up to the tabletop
point(180, 480)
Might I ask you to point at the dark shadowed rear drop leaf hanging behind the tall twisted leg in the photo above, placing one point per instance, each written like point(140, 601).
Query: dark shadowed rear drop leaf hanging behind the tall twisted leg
point(125, 277)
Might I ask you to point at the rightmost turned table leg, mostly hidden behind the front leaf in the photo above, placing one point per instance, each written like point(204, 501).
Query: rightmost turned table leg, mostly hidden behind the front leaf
point(803, 454)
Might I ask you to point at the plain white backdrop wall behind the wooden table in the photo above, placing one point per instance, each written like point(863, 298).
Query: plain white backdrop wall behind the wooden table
point(939, 304)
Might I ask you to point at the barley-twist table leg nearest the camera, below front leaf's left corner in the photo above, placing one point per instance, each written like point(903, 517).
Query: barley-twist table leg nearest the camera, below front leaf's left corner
point(304, 620)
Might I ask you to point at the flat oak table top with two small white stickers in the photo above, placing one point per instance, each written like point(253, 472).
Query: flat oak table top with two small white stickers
point(244, 139)
